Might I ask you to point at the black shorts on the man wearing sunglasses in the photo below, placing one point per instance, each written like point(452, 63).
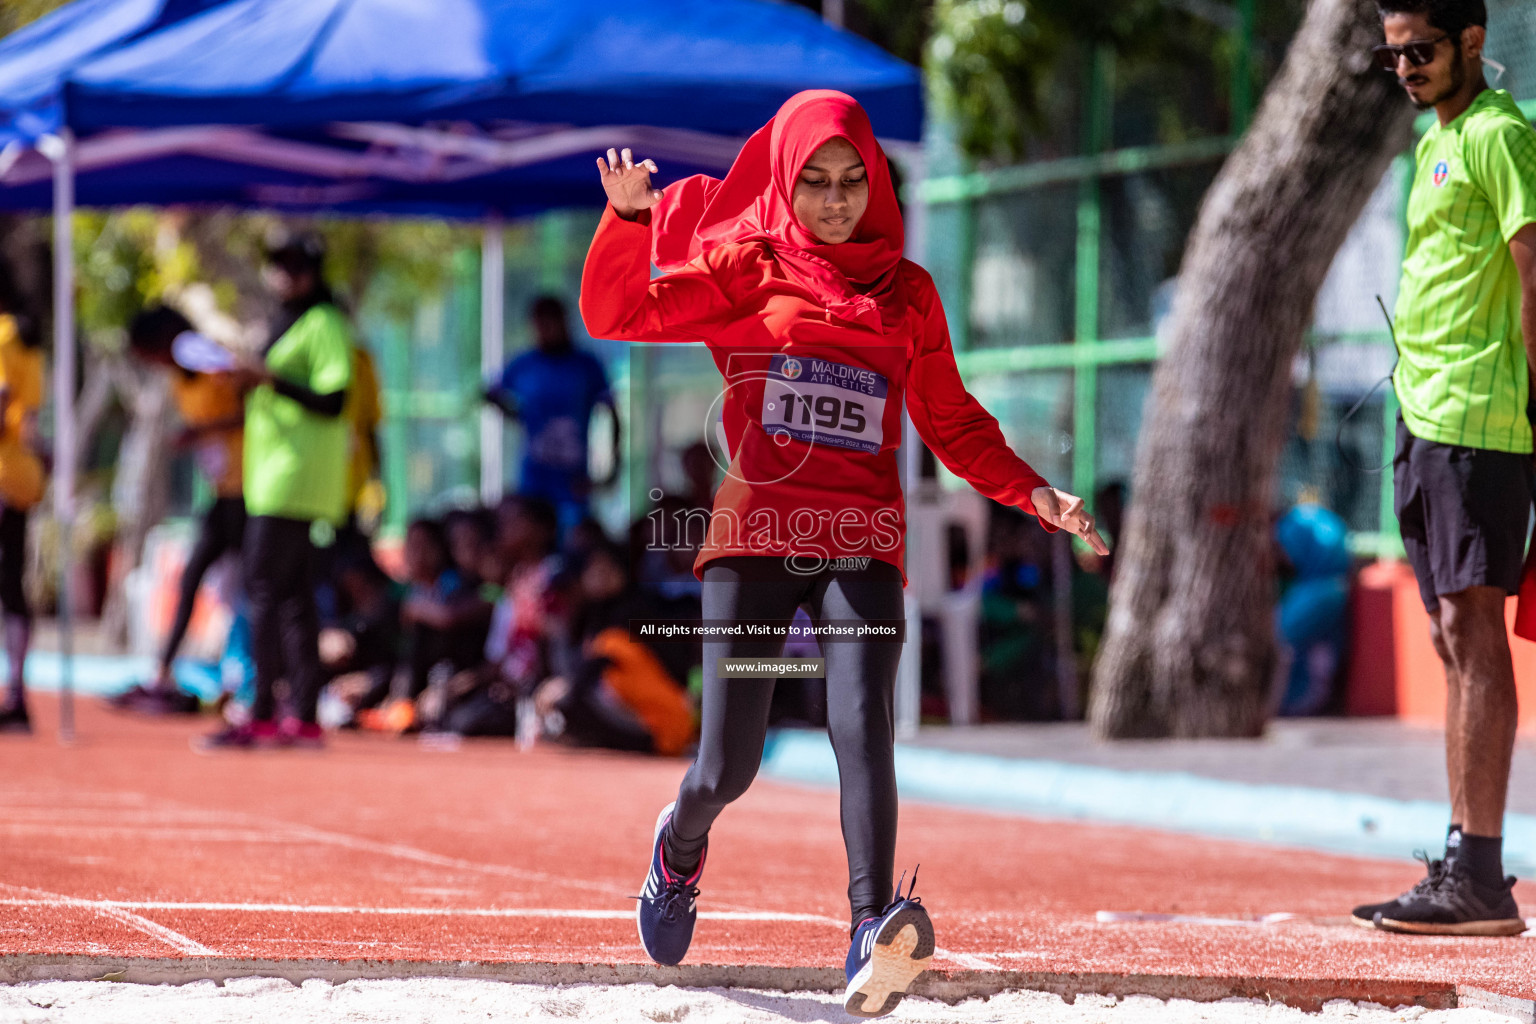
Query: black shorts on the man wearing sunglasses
point(1465, 515)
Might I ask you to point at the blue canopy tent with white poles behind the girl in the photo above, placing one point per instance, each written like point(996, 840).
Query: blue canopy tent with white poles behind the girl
point(449, 108)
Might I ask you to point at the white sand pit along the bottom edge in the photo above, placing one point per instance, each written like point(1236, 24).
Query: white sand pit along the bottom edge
point(460, 1002)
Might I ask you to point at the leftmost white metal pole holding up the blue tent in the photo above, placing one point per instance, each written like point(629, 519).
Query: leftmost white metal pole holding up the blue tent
point(61, 151)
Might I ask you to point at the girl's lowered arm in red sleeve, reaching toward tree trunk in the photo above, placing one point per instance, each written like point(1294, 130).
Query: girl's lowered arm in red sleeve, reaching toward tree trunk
point(970, 443)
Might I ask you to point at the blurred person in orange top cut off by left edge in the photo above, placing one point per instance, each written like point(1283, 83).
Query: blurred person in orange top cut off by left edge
point(22, 483)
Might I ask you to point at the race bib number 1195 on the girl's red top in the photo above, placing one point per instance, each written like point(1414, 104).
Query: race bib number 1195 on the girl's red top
point(826, 403)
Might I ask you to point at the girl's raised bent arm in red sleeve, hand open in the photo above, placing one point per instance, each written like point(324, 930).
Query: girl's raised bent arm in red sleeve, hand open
point(618, 297)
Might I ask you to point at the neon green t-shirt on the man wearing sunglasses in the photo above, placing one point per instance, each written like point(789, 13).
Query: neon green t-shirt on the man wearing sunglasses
point(1462, 371)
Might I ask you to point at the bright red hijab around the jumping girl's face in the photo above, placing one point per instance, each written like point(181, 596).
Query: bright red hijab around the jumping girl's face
point(855, 280)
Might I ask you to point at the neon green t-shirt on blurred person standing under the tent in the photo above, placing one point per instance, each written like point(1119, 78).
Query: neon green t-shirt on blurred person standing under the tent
point(297, 460)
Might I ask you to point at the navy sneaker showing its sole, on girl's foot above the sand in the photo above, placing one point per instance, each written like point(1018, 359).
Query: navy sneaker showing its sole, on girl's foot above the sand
point(887, 956)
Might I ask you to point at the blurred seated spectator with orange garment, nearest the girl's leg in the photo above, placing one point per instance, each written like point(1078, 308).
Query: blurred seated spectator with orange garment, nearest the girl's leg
point(618, 693)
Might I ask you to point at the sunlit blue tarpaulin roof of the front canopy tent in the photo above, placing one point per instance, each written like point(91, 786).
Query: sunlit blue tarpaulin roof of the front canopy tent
point(709, 65)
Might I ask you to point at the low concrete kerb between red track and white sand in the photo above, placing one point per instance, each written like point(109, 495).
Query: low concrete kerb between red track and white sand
point(950, 986)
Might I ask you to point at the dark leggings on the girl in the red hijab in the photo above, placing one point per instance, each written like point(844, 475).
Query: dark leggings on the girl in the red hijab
point(861, 684)
